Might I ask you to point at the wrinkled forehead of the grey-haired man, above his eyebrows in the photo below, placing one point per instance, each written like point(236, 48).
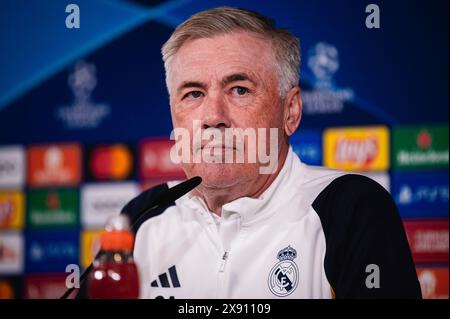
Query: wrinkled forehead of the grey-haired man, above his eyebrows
point(218, 56)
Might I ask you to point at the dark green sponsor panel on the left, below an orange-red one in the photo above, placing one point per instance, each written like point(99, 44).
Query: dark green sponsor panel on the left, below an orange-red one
point(53, 208)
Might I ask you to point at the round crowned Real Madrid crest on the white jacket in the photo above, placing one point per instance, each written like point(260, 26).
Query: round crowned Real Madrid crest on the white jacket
point(283, 277)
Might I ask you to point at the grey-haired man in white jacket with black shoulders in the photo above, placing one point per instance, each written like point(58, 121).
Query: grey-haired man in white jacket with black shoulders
point(295, 232)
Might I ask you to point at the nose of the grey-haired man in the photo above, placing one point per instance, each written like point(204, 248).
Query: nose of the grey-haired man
point(215, 113)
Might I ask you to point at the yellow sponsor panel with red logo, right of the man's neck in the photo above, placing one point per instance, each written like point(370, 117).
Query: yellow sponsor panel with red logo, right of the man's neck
point(357, 149)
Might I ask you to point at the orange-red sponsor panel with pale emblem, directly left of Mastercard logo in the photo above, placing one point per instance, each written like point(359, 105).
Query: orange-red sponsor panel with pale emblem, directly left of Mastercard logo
point(58, 165)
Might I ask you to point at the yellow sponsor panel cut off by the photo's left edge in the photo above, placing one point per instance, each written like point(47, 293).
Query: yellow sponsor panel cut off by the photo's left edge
point(11, 210)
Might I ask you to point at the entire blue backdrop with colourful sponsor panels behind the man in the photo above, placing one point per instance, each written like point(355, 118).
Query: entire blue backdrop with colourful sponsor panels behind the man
point(85, 121)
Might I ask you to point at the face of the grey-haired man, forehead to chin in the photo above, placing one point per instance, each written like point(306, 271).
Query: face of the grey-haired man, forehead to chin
point(227, 81)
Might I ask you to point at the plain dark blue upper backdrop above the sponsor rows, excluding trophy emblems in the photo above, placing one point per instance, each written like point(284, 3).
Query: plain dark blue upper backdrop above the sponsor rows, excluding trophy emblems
point(396, 74)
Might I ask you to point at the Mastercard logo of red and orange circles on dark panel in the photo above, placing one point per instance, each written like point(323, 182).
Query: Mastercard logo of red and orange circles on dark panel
point(111, 162)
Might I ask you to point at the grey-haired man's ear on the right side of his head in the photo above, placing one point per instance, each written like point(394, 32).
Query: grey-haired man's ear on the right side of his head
point(293, 110)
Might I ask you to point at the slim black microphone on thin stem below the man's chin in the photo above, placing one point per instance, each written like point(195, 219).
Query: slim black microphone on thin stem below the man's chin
point(144, 207)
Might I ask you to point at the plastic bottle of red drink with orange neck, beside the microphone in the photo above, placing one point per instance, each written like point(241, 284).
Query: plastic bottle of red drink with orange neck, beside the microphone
point(114, 274)
